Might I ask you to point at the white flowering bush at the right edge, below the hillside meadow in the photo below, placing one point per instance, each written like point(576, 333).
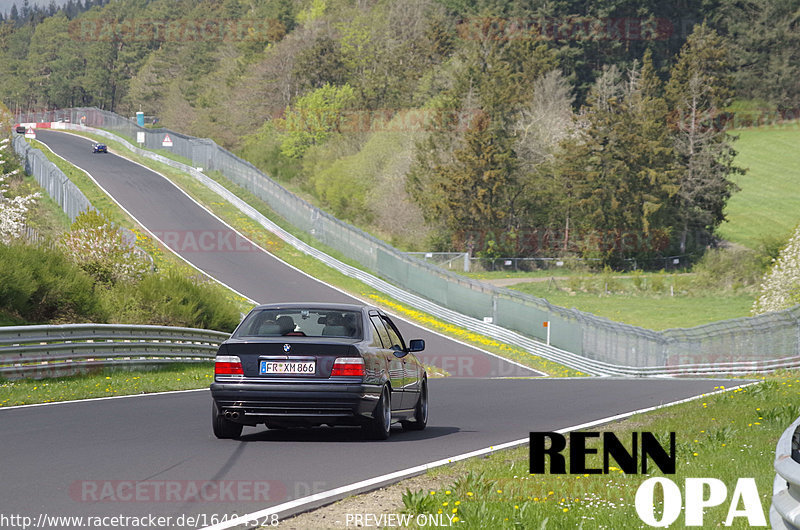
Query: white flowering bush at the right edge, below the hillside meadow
point(780, 288)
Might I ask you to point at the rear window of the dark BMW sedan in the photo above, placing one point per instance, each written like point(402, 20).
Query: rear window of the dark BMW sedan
point(301, 322)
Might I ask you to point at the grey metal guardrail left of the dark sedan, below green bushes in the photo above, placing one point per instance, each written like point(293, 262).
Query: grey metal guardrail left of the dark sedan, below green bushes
point(48, 350)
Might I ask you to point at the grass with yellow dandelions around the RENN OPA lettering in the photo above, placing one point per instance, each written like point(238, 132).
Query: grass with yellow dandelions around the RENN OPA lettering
point(726, 436)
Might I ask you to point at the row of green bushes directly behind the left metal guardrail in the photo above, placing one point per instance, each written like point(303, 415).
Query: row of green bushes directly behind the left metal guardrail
point(40, 285)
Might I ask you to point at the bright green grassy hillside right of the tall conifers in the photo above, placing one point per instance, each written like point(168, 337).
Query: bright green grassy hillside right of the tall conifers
point(768, 205)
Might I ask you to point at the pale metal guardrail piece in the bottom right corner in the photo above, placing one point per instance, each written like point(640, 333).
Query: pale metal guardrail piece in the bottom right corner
point(784, 514)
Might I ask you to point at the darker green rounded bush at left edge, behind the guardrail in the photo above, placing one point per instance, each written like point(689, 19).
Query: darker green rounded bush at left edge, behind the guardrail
point(42, 285)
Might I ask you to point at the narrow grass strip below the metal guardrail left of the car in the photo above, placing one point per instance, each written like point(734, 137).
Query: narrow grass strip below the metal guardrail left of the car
point(105, 383)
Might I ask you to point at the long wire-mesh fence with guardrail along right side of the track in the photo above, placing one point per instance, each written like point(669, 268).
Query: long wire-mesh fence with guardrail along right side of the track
point(753, 344)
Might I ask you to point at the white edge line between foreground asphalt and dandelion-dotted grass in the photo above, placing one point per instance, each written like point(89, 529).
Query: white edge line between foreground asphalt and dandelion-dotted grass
point(320, 499)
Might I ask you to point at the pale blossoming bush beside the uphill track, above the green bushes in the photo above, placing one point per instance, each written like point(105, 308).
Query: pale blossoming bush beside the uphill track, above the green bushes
point(99, 248)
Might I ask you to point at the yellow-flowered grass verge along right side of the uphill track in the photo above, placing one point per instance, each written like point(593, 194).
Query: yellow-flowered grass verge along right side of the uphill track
point(312, 266)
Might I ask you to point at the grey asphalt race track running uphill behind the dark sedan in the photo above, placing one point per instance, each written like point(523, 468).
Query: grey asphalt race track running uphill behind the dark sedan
point(86, 458)
